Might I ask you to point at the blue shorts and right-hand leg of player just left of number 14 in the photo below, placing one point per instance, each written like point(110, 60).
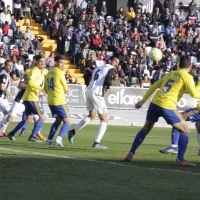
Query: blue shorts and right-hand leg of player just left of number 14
point(35, 108)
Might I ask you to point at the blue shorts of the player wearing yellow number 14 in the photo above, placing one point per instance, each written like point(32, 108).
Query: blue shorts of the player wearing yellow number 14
point(59, 111)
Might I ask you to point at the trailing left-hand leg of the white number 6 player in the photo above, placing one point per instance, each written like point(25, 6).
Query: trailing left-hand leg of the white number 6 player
point(86, 120)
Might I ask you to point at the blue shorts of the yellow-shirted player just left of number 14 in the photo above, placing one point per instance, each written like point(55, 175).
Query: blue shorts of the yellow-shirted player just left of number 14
point(33, 108)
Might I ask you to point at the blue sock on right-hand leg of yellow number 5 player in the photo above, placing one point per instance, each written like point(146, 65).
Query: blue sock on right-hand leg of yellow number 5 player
point(182, 145)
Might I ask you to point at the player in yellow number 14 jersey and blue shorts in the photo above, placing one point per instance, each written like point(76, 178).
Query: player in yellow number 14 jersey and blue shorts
point(56, 87)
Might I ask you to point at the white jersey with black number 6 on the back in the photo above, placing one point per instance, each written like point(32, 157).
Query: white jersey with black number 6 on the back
point(98, 77)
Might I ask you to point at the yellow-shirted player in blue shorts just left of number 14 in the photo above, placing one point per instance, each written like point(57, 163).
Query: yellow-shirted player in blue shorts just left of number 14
point(35, 85)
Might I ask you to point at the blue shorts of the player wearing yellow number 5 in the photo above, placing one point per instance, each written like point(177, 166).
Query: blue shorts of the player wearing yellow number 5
point(170, 116)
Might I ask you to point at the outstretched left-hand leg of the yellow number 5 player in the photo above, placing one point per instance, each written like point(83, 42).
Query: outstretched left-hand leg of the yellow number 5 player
point(153, 114)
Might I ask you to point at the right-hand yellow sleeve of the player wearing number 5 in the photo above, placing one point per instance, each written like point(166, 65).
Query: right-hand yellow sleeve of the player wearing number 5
point(193, 90)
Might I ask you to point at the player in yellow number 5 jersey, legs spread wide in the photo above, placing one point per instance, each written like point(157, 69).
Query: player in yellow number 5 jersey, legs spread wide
point(172, 87)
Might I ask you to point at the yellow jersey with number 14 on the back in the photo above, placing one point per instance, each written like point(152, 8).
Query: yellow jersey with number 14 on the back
point(56, 87)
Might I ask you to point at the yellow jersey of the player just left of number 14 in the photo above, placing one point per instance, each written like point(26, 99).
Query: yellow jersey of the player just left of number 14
point(35, 84)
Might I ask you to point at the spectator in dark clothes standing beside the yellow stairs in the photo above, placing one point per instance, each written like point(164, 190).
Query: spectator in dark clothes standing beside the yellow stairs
point(61, 38)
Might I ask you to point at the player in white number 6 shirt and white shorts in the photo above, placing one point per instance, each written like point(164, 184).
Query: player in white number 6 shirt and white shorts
point(98, 86)
